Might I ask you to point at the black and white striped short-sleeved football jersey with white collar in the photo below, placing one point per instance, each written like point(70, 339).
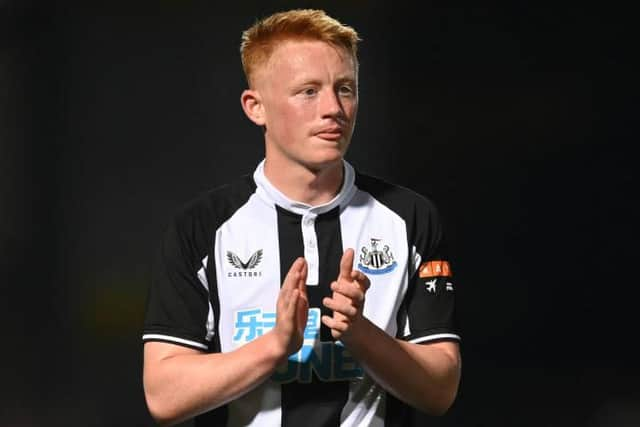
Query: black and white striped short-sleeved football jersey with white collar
point(223, 260)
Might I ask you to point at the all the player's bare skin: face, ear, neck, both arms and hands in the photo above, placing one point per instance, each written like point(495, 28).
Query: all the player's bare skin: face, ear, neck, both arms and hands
point(306, 98)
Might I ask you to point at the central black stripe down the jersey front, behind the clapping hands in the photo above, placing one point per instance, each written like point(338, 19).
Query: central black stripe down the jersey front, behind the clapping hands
point(318, 403)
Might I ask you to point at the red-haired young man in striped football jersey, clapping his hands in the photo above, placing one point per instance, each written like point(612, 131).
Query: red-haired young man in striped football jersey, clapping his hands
point(260, 312)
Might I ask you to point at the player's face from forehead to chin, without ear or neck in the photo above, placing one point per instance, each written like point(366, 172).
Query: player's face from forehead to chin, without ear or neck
point(308, 91)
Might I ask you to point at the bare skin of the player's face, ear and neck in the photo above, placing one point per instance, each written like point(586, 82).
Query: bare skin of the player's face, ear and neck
point(307, 98)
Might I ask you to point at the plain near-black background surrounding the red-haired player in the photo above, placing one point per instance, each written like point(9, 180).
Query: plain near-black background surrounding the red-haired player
point(515, 119)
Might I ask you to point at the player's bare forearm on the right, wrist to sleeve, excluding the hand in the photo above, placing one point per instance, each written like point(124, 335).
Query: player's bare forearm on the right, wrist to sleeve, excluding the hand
point(424, 376)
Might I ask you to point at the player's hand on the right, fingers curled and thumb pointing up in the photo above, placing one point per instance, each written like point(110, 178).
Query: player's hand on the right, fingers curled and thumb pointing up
point(347, 300)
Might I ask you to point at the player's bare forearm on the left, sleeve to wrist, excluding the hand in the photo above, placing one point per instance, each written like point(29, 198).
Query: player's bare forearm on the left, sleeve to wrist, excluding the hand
point(180, 386)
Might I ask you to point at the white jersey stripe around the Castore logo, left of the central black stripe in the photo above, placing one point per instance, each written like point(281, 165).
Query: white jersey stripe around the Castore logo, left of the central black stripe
point(262, 405)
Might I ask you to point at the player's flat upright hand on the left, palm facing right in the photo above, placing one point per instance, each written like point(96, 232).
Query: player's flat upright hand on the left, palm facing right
point(292, 308)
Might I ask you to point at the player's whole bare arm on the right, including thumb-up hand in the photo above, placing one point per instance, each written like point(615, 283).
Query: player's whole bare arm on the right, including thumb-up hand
point(424, 376)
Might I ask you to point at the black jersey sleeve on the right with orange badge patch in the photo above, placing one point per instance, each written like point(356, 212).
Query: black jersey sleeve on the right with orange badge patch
point(430, 298)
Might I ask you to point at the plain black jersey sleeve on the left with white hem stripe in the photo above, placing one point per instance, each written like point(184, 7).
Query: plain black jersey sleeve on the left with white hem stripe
point(178, 307)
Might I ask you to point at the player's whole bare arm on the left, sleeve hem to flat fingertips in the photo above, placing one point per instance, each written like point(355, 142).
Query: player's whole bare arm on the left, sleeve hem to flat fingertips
point(180, 382)
